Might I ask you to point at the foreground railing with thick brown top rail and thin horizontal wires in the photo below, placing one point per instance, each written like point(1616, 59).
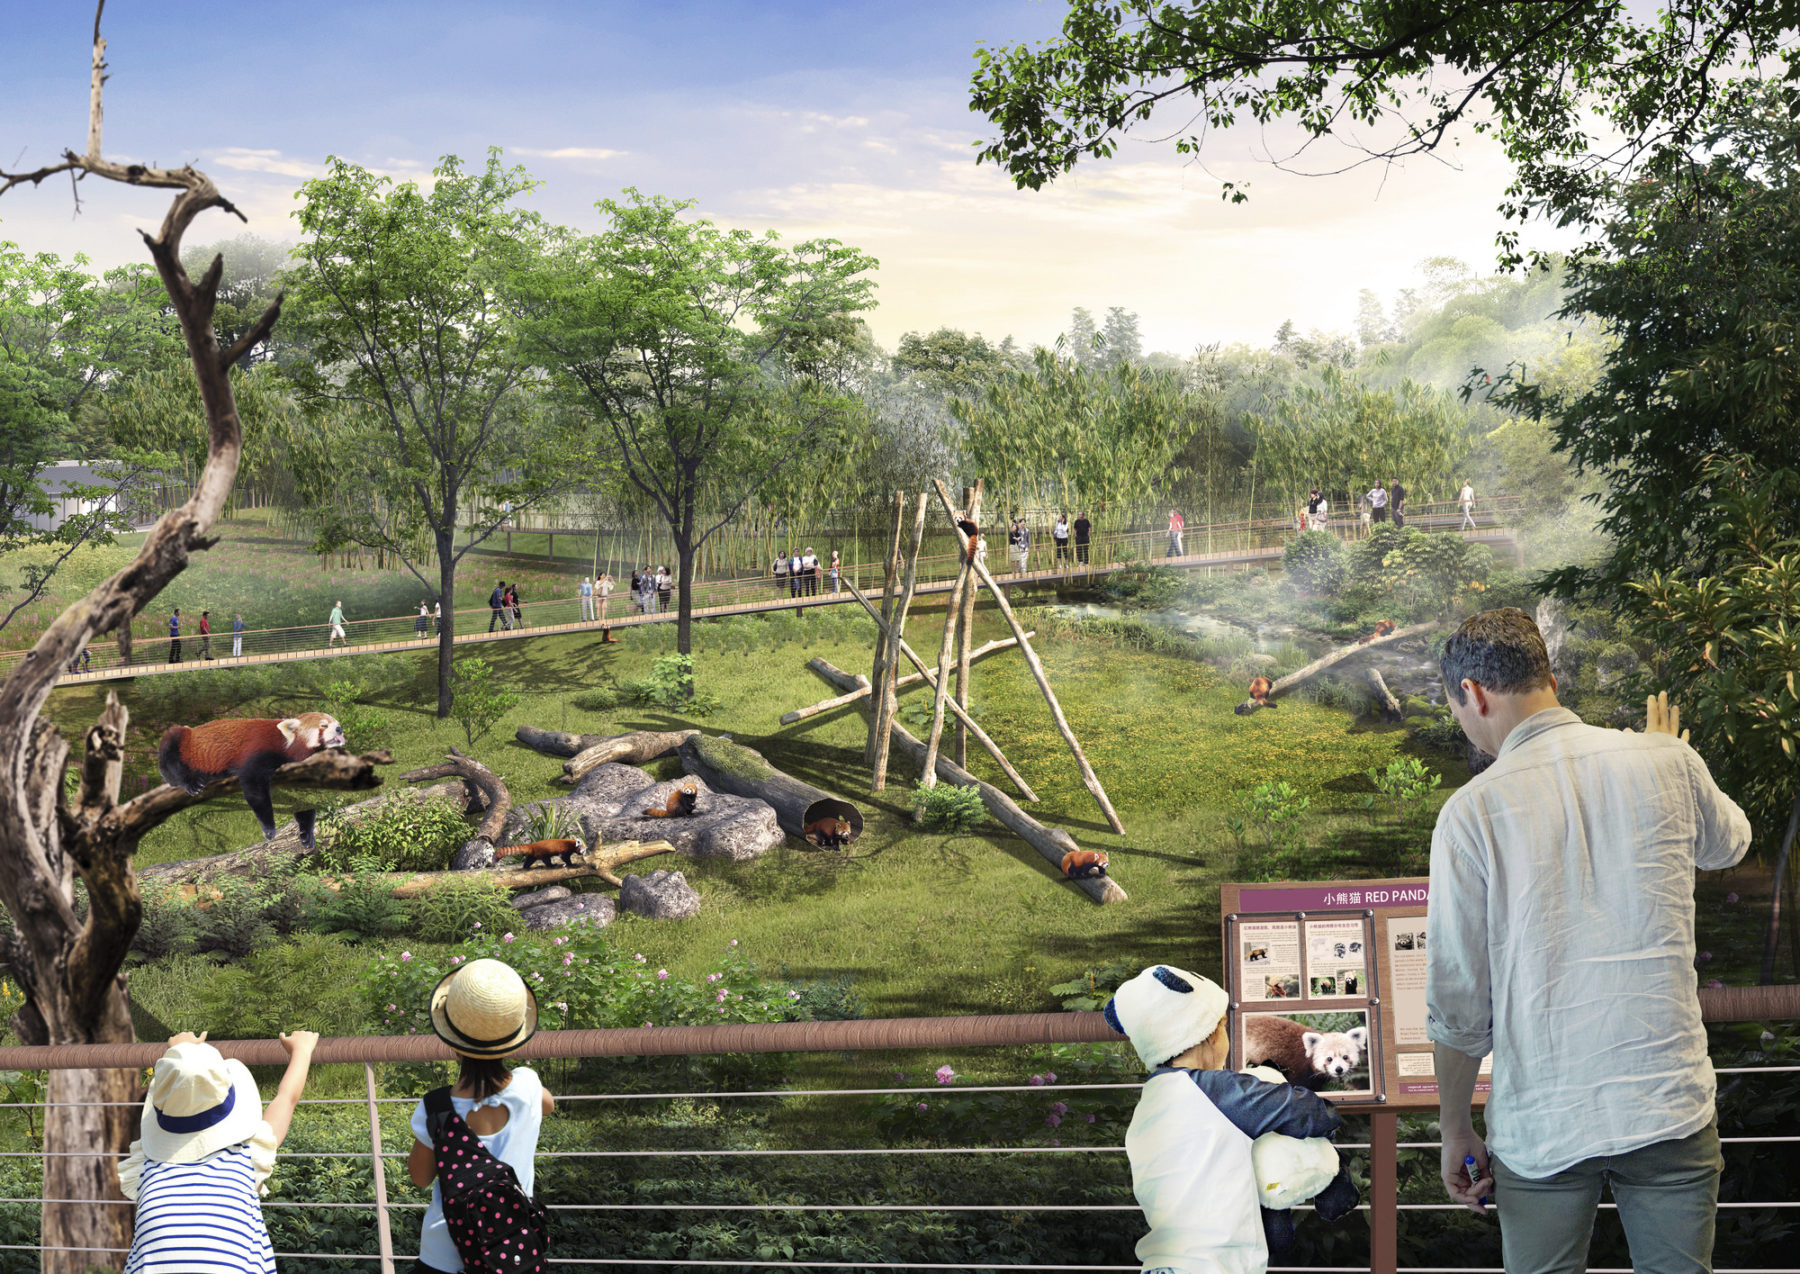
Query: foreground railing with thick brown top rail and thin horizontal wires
point(1722, 1005)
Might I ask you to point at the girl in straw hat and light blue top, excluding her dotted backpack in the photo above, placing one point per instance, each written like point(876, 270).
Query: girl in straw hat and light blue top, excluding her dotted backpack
point(483, 1012)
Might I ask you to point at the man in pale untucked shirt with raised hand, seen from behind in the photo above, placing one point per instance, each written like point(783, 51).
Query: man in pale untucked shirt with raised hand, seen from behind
point(1561, 940)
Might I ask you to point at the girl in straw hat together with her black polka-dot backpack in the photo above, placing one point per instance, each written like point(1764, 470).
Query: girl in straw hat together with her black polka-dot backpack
point(483, 1012)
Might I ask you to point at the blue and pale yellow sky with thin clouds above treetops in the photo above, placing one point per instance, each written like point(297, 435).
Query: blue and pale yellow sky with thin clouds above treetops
point(845, 120)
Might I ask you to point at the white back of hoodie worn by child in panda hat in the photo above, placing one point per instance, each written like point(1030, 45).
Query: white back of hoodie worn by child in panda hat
point(1196, 1183)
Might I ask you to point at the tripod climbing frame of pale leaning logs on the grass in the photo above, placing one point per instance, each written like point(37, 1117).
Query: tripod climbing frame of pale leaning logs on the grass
point(955, 654)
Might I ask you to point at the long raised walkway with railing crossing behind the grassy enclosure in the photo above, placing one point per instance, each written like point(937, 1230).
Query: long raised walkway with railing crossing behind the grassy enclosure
point(1223, 544)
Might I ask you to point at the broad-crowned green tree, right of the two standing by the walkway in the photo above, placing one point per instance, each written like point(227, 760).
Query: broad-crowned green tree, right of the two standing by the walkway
point(710, 359)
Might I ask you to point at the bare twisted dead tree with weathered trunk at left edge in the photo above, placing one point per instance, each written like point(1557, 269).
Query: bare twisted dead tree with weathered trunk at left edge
point(69, 967)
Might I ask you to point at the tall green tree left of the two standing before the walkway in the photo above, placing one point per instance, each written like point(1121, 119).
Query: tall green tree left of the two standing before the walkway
point(415, 377)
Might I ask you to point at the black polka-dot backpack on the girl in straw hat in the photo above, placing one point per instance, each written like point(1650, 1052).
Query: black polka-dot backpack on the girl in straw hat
point(494, 1225)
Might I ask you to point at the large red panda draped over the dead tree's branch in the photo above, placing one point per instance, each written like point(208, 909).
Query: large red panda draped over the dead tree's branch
point(251, 751)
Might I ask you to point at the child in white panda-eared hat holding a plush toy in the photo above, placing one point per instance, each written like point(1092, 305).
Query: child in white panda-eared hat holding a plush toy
point(1214, 1154)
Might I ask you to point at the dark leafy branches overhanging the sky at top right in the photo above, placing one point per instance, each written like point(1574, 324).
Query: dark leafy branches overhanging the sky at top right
point(1576, 93)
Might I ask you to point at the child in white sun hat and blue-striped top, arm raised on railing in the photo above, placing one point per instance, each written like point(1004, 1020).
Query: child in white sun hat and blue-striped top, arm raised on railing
point(208, 1145)
